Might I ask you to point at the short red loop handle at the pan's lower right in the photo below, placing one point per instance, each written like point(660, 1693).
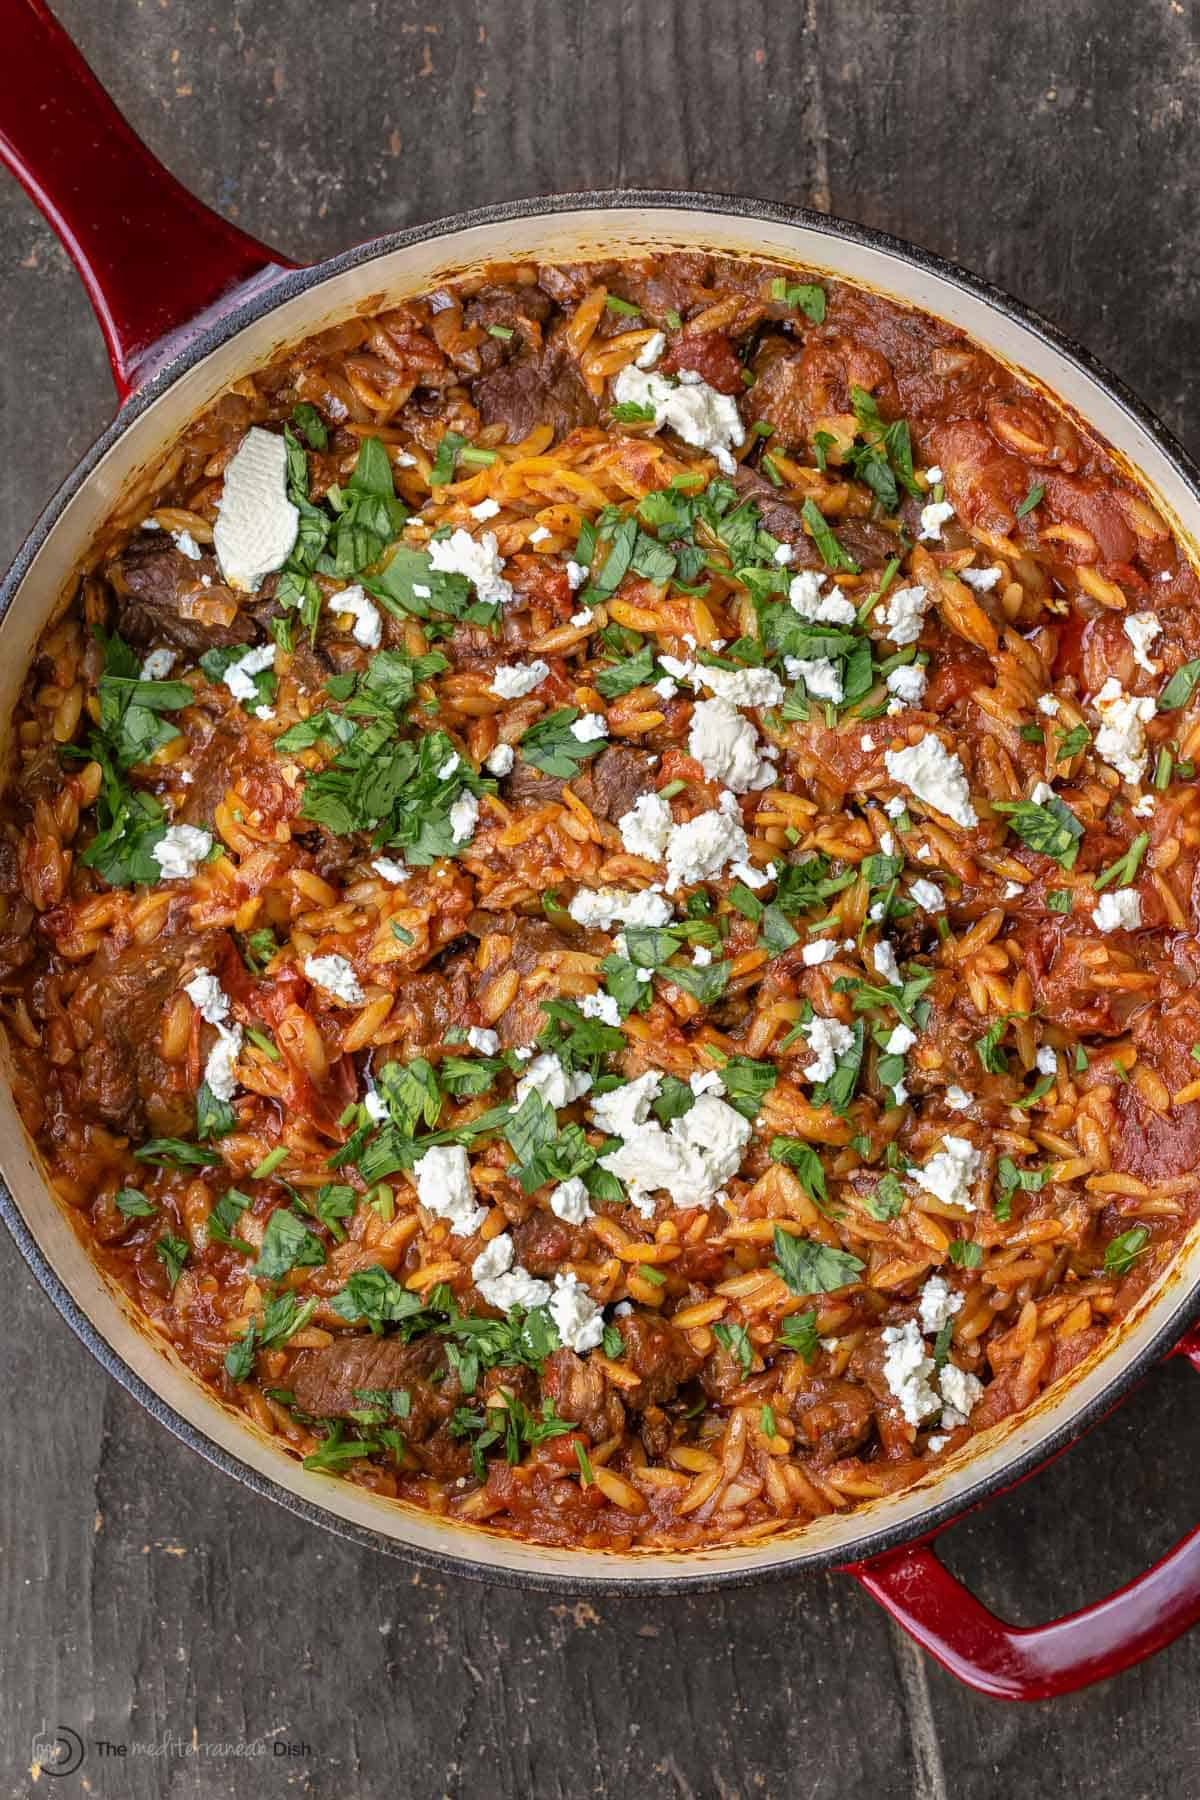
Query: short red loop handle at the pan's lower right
point(1039, 1662)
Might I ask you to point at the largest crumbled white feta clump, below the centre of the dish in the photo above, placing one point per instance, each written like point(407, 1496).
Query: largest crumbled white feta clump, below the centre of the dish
point(692, 1160)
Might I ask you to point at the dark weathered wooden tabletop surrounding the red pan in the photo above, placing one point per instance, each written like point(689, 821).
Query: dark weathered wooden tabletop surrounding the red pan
point(141, 1594)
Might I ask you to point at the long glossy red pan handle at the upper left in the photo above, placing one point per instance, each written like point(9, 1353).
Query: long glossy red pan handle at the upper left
point(156, 262)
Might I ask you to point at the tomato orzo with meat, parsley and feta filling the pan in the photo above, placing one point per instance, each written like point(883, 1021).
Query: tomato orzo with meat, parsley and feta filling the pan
point(598, 897)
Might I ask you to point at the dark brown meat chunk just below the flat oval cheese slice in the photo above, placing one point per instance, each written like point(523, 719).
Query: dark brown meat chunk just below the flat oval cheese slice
point(161, 598)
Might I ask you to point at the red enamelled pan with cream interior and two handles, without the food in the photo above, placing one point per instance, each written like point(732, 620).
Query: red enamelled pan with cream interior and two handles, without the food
point(188, 305)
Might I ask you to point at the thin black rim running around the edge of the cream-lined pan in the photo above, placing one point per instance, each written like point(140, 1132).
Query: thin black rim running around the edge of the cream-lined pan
point(199, 345)
